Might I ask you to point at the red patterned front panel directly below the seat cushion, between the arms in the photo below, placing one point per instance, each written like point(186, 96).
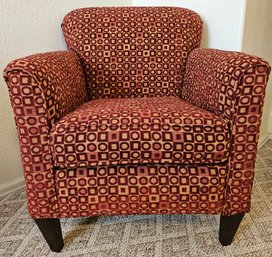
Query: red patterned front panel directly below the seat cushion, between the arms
point(137, 189)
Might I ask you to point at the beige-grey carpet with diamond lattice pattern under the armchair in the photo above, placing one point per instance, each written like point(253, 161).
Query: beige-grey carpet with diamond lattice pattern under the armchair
point(152, 235)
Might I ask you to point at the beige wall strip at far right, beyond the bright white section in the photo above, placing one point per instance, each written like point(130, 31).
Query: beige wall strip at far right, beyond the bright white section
point(258, 41)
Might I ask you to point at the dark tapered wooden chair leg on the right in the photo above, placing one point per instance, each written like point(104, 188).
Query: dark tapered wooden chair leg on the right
point(228, 227)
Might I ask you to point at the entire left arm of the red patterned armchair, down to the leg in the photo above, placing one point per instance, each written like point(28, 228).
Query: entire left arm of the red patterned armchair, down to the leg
point(42, 89)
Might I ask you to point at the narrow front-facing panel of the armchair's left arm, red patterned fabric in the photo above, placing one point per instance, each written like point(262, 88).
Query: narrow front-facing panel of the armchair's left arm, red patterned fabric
point(30, 113)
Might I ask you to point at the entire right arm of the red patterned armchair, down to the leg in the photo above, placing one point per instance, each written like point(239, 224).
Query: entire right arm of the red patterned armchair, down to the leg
point(231, 85)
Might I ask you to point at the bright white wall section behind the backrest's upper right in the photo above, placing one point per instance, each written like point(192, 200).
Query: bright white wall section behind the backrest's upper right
point(223, 20)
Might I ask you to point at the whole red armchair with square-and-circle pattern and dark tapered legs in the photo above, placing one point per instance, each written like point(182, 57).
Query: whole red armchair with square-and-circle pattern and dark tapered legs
point(135, 118)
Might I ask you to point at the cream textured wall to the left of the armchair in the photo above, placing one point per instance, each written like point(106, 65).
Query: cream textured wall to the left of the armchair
point(28, 27)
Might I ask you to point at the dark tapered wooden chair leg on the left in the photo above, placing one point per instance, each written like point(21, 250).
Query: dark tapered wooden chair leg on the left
point(51, 230)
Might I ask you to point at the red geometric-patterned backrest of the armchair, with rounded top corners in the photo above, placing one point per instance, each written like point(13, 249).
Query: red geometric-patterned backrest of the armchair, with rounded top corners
point(132, 51)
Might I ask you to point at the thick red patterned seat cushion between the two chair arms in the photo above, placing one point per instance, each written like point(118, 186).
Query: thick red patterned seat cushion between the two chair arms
point(139, 130)
